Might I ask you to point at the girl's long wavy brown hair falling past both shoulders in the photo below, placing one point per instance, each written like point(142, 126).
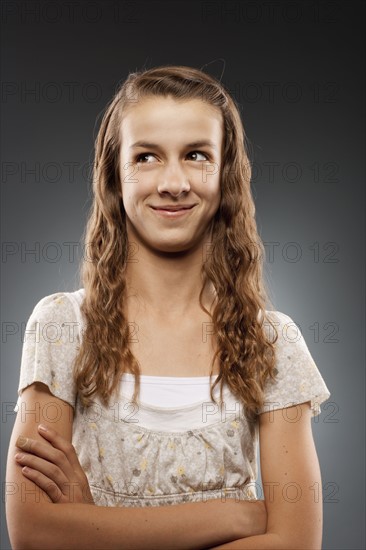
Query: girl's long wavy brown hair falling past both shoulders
point(234, 266)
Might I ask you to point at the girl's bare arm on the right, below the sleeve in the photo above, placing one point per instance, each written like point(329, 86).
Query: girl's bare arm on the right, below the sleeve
point(290, 469)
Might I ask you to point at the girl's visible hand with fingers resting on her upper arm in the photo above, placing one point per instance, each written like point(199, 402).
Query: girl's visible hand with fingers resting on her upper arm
point(54, 468)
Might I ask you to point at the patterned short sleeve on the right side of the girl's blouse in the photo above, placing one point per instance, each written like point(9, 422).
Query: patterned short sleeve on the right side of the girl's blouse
point(298, 379)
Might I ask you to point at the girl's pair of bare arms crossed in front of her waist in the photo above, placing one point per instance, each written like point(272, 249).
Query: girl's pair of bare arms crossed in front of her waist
point(288, 518)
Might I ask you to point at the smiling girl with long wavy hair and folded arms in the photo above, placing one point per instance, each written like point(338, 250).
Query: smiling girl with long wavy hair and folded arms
point(141, 450)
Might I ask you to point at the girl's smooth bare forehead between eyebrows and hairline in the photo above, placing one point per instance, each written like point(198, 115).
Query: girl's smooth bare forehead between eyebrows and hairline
point(155, 118)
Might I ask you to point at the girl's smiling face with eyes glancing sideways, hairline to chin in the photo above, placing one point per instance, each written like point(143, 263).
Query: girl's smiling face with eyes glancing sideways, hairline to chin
point(170, 159)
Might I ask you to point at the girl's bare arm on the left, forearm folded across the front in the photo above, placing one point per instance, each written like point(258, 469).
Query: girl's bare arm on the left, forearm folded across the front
point(34, 521)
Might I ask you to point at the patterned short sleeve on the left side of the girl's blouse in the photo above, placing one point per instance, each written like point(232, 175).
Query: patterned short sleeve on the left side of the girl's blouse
point(50, 345)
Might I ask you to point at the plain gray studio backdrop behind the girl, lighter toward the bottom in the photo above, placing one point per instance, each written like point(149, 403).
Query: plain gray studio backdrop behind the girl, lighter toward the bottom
point(296, 68)
